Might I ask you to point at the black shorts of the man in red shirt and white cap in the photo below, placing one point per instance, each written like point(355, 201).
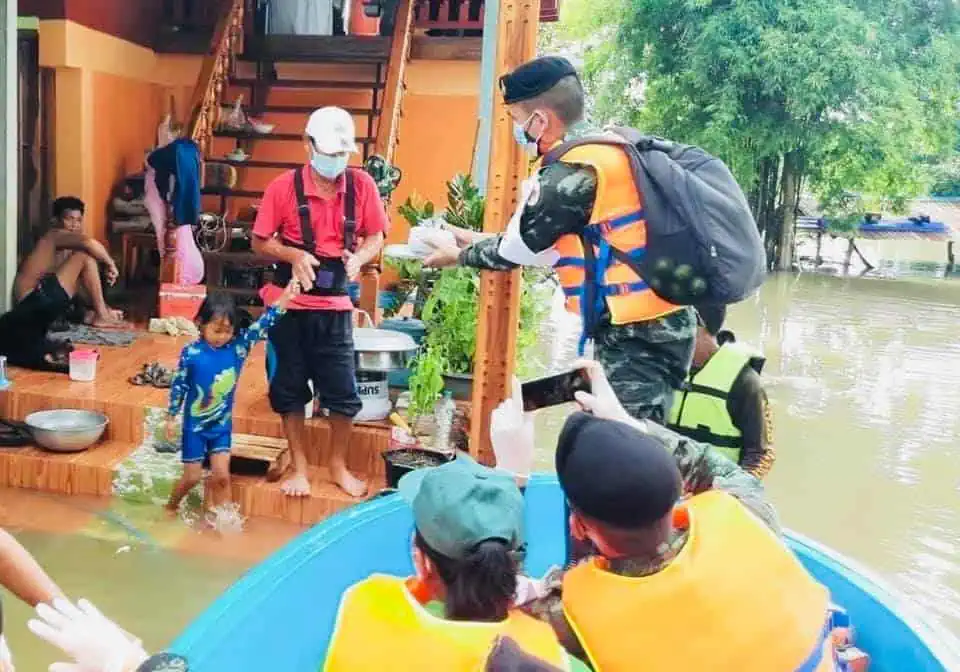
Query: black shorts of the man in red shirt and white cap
point(316, 346)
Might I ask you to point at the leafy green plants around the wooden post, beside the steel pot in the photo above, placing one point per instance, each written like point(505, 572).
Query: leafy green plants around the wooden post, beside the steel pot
point(447, 302)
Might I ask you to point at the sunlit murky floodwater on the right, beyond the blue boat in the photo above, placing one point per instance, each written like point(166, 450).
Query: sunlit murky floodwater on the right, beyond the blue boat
point(864, 381)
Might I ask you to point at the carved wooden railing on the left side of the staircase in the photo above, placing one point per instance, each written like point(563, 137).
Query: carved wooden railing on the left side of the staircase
point(208, 93)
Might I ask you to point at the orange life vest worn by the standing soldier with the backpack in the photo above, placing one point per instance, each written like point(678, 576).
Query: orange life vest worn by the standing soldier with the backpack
point(617, 221)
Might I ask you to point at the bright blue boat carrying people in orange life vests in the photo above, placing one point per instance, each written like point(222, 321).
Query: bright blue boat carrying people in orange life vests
point(280, 615)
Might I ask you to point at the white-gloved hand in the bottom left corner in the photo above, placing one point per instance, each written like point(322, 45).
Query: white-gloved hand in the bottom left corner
point(95, 643)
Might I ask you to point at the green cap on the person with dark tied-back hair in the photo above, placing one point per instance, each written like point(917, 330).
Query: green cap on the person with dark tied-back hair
point(461, 504)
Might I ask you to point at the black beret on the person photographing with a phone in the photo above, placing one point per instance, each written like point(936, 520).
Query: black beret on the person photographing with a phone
point(615, 473)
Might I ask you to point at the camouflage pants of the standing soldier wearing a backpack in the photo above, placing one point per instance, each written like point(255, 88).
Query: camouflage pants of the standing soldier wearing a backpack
point(646, 362)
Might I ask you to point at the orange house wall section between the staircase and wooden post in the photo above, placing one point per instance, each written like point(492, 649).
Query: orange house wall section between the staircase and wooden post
point(437, 131)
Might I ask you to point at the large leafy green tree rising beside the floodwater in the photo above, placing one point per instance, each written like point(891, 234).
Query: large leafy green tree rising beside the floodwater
point(831, 95)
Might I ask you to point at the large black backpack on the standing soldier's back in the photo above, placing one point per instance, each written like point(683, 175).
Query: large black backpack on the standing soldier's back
point(703, 245)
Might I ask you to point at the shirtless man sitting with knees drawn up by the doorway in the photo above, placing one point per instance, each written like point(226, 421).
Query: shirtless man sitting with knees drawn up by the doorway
point(68, 212)
